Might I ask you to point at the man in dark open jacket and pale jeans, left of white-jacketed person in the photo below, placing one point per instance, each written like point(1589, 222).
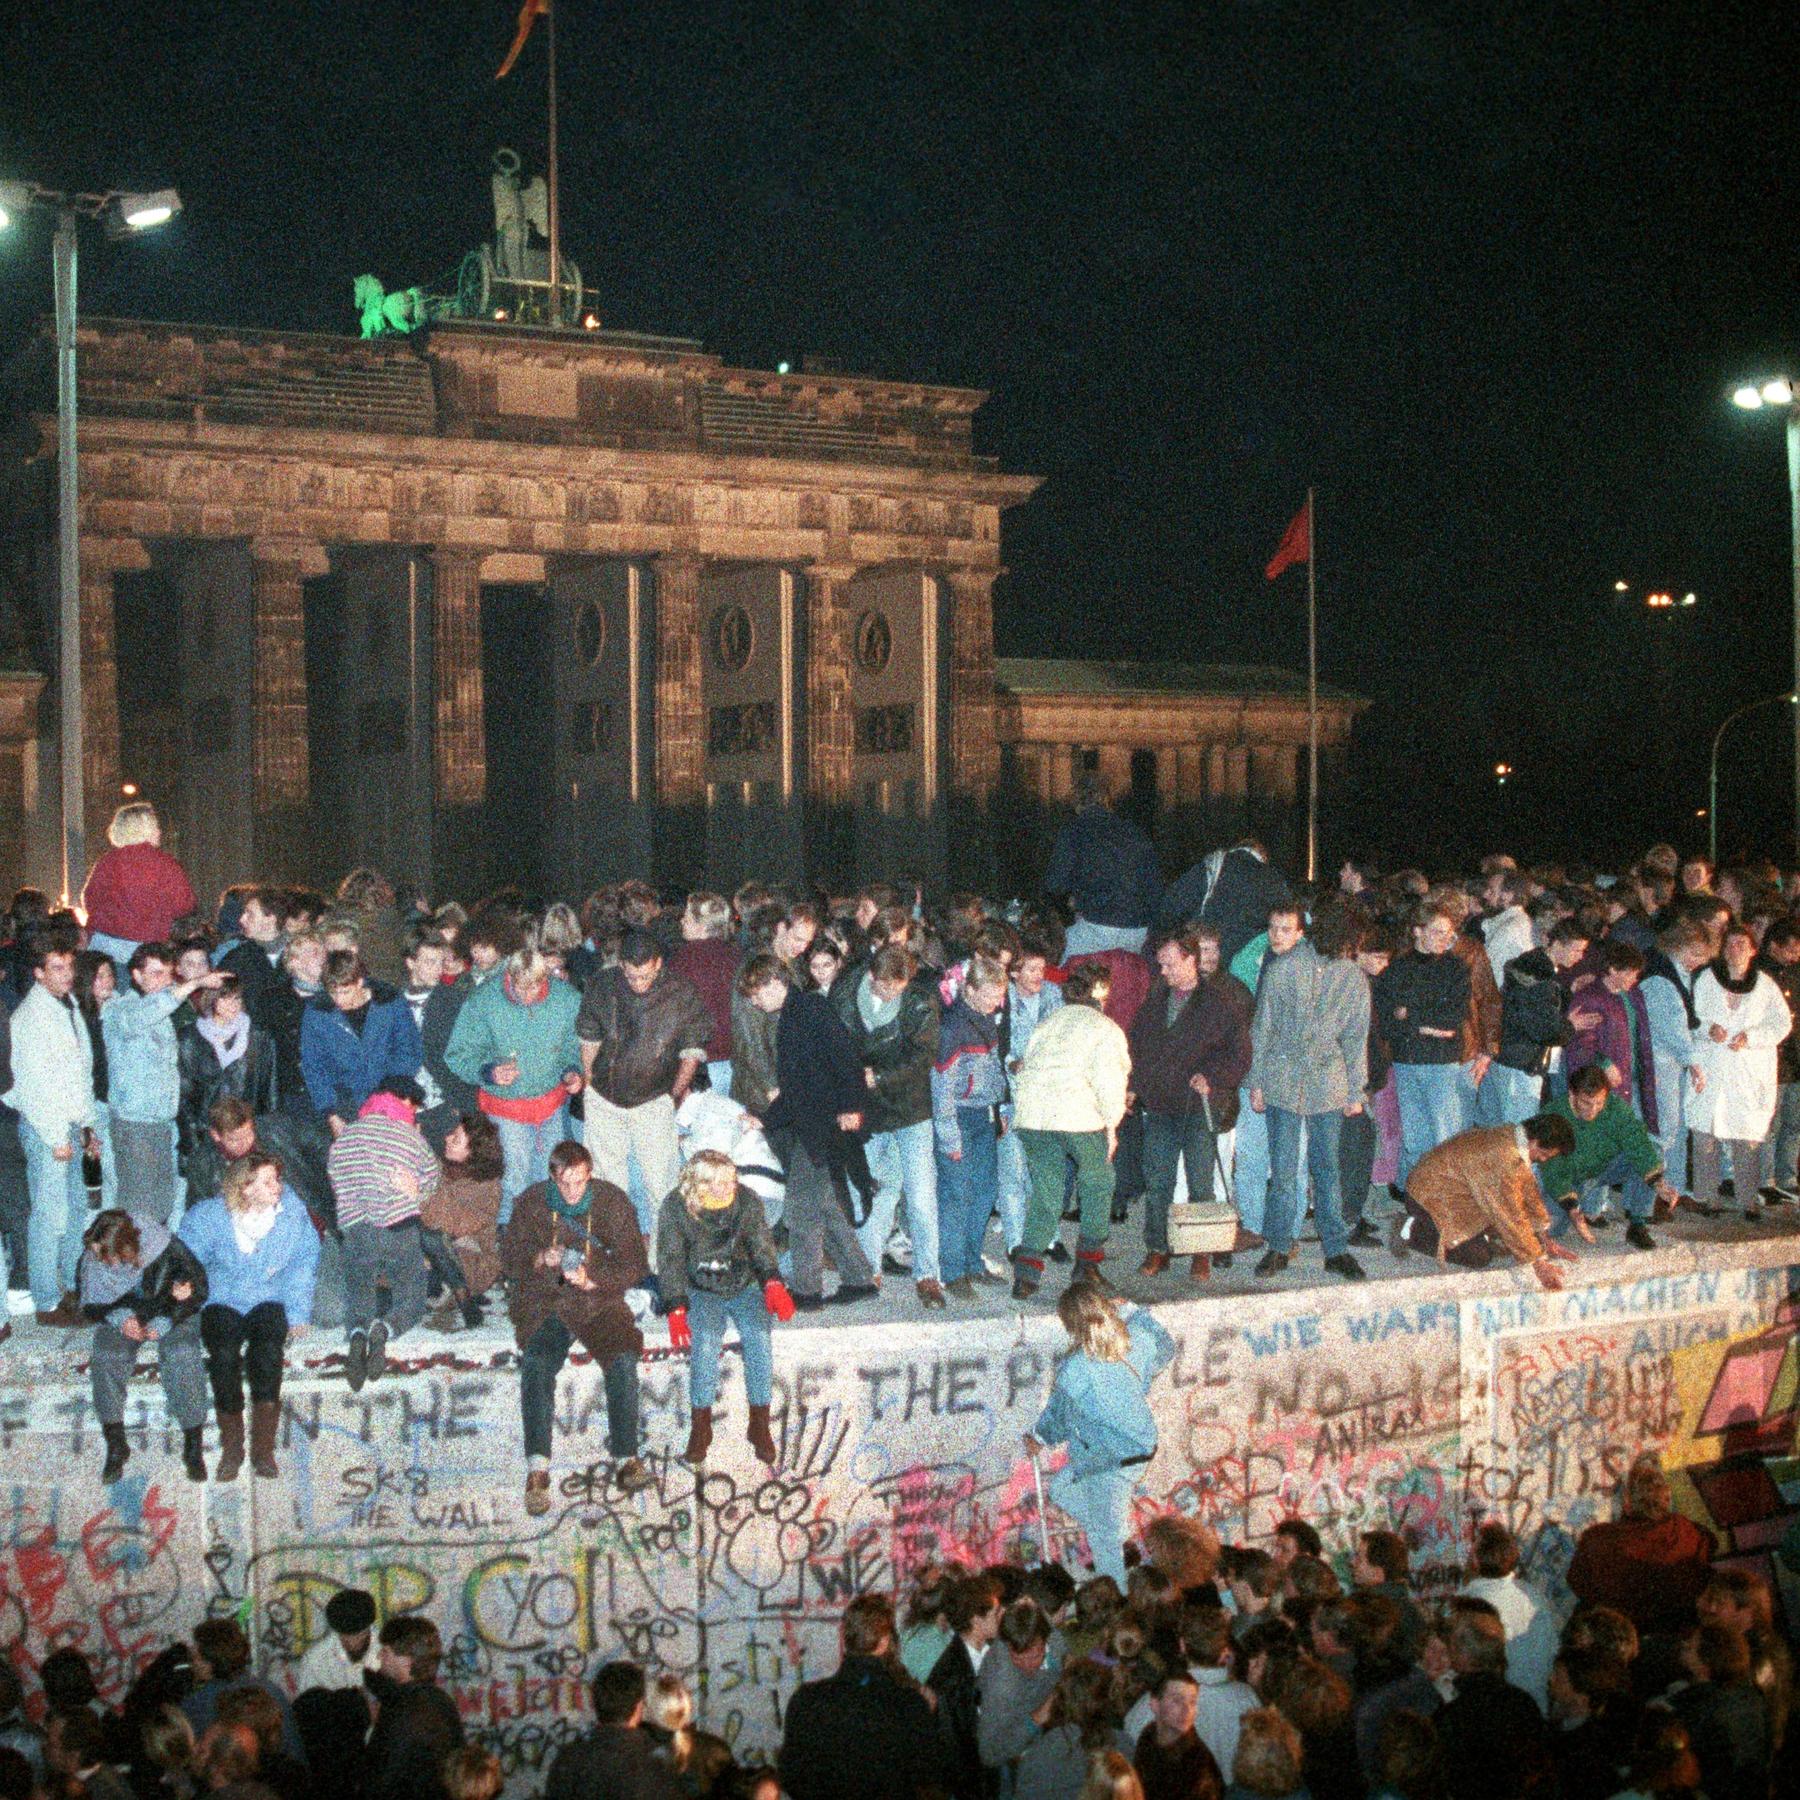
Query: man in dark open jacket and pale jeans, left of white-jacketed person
point(894, 1025)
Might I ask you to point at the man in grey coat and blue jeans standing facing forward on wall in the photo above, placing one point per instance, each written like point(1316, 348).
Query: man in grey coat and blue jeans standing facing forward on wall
point(1309, 1065)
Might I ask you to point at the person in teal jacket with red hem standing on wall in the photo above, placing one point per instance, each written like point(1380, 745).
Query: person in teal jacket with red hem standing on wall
point(516, 1043)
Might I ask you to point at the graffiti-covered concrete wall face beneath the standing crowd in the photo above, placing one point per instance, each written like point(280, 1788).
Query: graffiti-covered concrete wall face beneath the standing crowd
point(1425, 1405)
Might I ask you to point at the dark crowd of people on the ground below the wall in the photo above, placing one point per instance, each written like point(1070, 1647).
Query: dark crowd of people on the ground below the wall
point(1209, 1673)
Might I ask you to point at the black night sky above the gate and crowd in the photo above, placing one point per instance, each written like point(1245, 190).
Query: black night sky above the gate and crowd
point(1484, 274)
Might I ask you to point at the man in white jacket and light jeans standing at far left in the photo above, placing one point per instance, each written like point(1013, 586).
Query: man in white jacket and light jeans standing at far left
point(53, 1093)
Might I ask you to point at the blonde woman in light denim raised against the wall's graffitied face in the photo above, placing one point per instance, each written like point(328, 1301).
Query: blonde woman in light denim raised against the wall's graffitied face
point(1099, 1408)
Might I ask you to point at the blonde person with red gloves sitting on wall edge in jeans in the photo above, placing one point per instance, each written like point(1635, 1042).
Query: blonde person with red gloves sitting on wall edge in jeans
point(715, 1263)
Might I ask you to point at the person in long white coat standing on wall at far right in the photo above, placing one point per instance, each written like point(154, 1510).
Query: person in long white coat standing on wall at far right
point(1743, 1020)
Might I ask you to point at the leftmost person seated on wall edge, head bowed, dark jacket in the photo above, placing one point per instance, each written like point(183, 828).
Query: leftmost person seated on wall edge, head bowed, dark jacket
point(141, 1284)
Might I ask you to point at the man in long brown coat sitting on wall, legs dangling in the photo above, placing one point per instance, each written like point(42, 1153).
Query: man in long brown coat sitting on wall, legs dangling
point(571, 1257)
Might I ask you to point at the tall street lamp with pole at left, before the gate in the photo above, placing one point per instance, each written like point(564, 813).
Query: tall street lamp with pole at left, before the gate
point(125, 215)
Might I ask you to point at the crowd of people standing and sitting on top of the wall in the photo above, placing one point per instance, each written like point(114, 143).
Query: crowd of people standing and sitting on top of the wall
point(231, 1126)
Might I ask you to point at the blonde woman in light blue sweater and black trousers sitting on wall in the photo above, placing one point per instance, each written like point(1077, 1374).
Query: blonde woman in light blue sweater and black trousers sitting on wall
point(260, 1252)
